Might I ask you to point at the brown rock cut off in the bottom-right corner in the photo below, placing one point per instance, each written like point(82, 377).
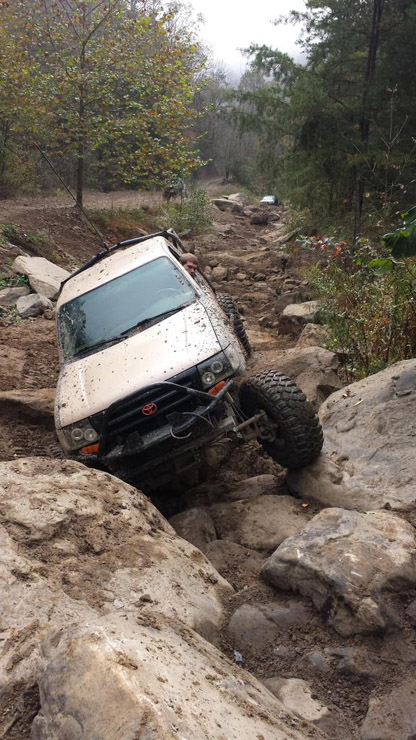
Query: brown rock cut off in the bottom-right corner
point(392, 716)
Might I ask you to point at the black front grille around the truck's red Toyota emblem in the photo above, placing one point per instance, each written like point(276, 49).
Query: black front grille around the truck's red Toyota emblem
point(125, 417)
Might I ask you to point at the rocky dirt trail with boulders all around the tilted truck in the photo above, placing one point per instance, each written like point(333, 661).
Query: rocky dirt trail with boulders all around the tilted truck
point(272, 606)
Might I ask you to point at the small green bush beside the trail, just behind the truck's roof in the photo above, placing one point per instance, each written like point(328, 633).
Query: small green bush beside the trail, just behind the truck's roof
point(192, 213)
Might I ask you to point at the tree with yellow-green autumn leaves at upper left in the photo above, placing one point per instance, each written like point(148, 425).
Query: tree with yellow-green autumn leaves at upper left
point(115, 85)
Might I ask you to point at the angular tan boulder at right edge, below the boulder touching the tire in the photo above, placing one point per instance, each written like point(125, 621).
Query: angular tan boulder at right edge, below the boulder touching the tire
point(350, 565)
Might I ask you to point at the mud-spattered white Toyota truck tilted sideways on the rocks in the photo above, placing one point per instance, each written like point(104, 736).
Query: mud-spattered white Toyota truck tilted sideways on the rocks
point(149, 356)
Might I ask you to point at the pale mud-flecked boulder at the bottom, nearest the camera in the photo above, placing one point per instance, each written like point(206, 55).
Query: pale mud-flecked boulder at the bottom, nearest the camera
point(153, 679)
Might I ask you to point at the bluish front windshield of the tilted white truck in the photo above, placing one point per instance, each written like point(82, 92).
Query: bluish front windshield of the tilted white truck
point(108, 313)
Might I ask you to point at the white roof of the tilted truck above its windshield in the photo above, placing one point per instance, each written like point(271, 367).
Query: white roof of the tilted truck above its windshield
point(111, 265)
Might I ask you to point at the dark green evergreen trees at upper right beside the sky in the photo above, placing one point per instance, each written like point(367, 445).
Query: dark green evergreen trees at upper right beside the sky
point(337, 132)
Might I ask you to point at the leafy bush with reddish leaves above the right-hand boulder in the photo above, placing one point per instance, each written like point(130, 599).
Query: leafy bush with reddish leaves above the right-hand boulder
point(369, 304)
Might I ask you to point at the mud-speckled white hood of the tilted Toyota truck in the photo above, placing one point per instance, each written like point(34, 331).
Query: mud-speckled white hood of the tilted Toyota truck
point(91, 384)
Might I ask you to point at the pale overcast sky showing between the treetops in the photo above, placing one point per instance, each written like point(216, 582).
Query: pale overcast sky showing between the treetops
point(233, 24)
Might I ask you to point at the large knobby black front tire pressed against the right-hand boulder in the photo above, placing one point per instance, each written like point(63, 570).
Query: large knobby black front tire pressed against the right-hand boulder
point(299, 436)
